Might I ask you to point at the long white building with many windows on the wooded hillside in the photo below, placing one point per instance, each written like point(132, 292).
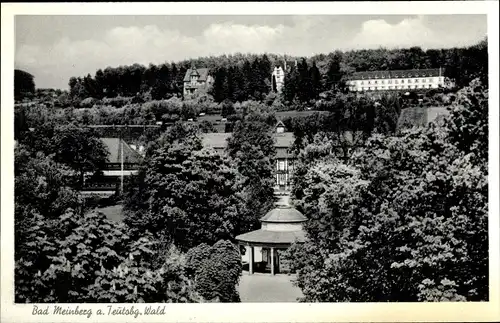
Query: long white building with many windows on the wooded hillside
point(398, 80)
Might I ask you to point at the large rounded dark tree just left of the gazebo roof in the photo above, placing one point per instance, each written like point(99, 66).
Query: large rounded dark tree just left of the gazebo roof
point(197, 200)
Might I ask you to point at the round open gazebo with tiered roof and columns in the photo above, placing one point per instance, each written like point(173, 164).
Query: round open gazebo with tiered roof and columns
point(281, 227)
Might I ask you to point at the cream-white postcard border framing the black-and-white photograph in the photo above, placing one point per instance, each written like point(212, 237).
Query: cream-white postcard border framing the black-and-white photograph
point(275, 312)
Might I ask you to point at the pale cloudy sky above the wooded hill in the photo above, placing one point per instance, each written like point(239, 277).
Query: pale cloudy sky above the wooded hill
point(55, 48)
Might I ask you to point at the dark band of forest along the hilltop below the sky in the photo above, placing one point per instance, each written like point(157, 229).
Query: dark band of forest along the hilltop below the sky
point(242, 77)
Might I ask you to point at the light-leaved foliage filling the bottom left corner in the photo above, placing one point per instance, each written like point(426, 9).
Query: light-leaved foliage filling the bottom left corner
point(78, 259)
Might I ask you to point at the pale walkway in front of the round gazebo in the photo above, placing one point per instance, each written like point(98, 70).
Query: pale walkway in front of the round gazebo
point(267, 288)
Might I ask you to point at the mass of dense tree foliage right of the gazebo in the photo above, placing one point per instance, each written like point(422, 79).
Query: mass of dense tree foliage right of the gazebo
point(405, 219)
